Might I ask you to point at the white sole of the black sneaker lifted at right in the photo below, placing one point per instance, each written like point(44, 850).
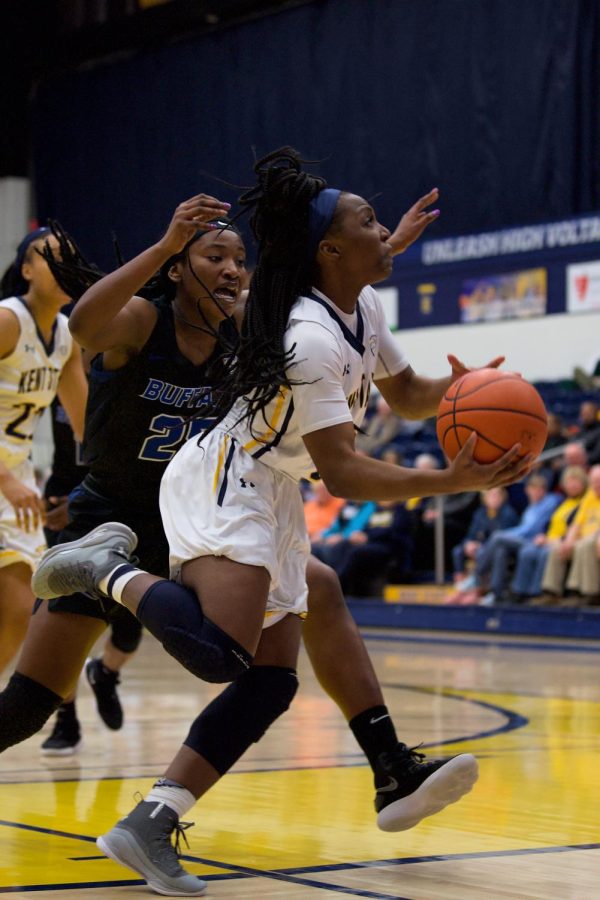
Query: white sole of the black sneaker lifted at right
point(447, 785)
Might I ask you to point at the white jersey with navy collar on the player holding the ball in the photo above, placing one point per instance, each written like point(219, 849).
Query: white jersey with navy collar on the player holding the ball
point(336, 355)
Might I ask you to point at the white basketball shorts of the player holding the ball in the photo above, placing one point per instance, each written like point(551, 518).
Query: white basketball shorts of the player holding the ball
point(217, 500)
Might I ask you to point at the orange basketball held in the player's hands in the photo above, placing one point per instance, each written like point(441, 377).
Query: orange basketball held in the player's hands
point(501, 407)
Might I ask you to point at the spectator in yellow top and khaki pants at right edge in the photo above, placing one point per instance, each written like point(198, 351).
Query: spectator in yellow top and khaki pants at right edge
point(577, 553)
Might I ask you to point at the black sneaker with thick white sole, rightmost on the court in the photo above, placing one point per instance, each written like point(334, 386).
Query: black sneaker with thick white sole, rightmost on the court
point(417, 787)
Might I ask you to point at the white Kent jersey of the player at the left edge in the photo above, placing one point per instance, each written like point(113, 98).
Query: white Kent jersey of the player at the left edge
point(28, 380)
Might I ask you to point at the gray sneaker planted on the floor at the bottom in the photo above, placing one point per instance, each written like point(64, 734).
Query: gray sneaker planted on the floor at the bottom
point(142, 842)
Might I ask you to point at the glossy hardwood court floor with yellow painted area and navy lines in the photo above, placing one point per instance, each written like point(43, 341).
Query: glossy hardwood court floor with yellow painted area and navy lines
point(294, 819)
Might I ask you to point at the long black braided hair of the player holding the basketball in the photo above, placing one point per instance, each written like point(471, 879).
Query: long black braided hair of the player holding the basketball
point(278, 205)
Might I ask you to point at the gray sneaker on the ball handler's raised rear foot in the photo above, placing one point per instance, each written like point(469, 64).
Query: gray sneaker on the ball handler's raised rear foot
point(78, 566)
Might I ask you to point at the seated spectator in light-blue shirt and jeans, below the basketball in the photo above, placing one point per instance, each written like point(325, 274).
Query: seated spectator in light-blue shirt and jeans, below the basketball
point(495, 555)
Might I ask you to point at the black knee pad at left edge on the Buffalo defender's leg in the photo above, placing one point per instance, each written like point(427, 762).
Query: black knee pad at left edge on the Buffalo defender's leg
point(25, 706)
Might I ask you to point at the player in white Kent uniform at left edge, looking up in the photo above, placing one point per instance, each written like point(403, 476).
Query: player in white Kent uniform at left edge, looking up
point(38, 360)
